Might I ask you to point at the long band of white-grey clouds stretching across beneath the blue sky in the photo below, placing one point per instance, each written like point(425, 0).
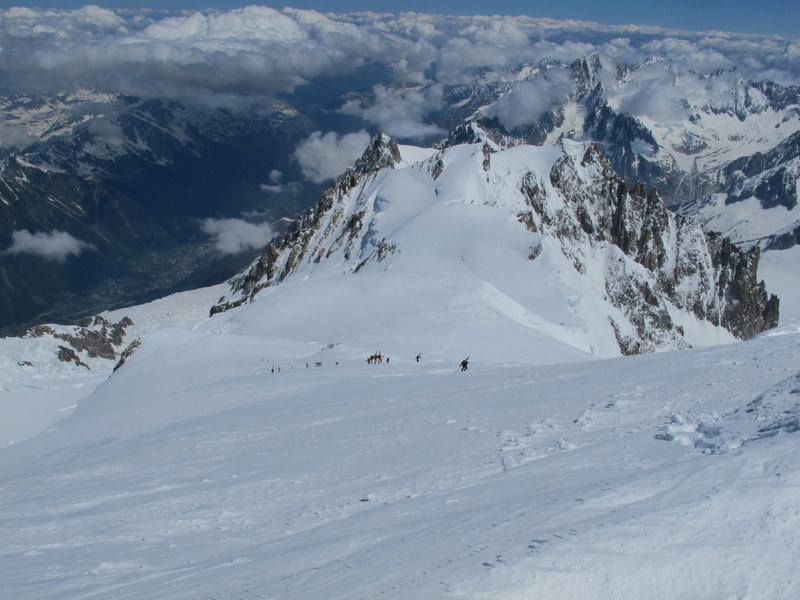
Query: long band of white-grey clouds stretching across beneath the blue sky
point(246, 56)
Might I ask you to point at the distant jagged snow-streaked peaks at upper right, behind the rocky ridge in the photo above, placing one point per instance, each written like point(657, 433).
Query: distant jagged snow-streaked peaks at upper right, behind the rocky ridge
point(705, 154)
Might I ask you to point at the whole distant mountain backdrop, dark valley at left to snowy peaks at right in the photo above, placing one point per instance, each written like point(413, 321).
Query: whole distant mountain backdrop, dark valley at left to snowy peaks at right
point(132, 181)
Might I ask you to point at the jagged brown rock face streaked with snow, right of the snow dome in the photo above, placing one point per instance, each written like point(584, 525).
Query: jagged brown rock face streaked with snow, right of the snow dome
point(691, 268)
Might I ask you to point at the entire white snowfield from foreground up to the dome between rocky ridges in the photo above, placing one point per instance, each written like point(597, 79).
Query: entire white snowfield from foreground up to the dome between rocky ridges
point(255, 453)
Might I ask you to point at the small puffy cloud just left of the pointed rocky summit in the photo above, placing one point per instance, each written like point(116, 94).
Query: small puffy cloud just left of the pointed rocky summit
point(323, 157)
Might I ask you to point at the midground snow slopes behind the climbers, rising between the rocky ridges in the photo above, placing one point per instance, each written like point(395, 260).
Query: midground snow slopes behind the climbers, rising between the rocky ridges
point(467, 279)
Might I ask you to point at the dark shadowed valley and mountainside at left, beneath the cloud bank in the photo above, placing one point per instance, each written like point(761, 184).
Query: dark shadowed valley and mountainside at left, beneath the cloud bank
point(132, 181)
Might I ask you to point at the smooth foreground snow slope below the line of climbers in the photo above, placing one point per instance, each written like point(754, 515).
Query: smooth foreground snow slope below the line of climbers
point(195, 471)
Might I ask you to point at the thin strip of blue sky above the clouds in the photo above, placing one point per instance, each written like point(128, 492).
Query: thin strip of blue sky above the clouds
point(780, 17)
